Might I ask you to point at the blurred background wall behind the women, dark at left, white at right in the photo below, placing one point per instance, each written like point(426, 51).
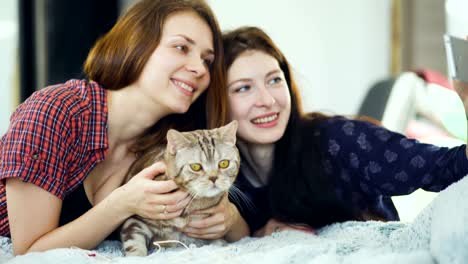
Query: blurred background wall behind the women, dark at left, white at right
point(337, 48)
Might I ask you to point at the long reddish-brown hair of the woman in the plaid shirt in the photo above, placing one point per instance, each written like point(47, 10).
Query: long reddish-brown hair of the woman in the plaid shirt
point(118, 58)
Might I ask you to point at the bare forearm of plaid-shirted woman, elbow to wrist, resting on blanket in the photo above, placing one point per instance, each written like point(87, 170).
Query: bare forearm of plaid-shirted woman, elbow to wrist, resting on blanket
point(87, 231)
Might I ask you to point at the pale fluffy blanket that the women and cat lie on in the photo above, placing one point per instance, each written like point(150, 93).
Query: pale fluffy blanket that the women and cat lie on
point(438, 235)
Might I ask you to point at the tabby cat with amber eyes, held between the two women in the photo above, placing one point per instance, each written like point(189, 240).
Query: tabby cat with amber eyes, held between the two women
point(204, 163)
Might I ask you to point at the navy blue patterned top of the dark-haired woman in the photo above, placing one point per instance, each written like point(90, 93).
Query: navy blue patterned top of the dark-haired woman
point(368, 164)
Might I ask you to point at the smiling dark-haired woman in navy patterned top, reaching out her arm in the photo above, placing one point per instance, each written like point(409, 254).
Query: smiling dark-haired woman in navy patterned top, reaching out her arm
point(307, 170)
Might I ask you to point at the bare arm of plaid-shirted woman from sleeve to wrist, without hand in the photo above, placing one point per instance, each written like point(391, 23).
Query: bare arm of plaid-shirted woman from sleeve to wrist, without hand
point(34, 215)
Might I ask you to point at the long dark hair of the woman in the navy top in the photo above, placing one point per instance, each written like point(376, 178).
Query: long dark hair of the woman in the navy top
point(299, 190)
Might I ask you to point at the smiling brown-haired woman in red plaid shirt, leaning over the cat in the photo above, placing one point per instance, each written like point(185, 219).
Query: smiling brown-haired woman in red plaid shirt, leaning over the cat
point(68, 147)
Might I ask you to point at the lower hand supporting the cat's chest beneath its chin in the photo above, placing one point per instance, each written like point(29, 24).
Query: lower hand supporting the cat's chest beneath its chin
point(218, 222)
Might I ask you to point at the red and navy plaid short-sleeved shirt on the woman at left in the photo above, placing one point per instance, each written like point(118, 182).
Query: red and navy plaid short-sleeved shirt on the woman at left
point(54, 140)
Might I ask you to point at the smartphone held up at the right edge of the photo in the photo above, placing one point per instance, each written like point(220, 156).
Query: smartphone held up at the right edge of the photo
point(457, 57)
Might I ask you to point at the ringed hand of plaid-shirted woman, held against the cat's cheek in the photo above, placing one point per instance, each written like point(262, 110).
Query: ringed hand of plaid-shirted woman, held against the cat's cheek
point(159, 200)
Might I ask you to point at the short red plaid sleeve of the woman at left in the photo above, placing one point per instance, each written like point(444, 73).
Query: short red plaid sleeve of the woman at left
point(37, 143)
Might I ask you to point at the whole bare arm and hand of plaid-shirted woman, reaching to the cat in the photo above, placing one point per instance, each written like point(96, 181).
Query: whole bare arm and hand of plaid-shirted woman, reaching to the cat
point(34, 213)
